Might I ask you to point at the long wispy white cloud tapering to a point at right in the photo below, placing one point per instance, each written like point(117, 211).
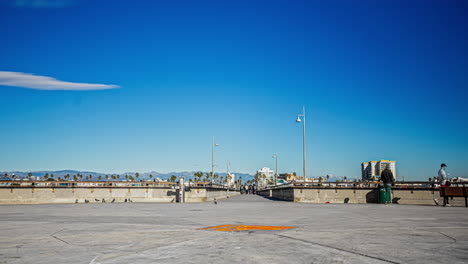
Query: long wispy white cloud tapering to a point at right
point(25, 80)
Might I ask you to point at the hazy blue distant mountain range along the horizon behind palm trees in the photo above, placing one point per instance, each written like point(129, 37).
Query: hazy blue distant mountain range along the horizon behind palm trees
point(94, 175)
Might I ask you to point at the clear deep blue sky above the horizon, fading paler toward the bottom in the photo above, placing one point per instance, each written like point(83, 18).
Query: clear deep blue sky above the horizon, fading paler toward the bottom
point(379, 80)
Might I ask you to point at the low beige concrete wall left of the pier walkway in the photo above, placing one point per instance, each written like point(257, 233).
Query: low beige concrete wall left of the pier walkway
point(38, 195)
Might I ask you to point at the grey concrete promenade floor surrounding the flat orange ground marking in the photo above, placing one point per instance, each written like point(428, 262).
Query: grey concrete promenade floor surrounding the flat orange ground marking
point(166, 233)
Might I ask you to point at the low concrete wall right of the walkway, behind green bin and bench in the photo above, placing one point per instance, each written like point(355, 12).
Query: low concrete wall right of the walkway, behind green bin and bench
point(422, 196)
